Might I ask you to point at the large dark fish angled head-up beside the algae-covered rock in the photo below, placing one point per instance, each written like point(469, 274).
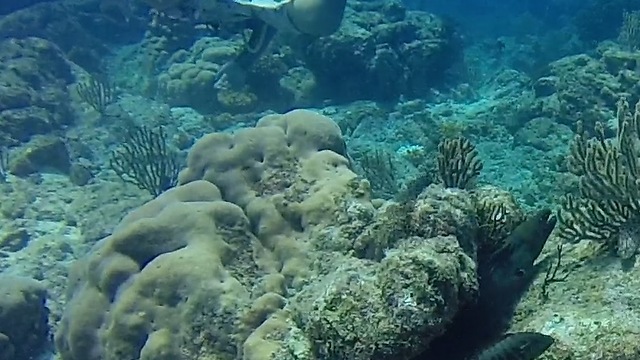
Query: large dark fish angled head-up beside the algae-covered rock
point(503, 275)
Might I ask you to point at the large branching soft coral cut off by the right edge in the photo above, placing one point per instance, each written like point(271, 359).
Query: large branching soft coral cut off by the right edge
point(609, 192)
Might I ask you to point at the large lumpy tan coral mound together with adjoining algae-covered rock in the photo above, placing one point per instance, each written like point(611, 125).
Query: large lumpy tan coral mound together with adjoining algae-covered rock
point(228, 264)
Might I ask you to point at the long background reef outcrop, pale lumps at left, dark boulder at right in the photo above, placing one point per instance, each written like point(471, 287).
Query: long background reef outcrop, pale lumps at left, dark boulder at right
point(395, 50)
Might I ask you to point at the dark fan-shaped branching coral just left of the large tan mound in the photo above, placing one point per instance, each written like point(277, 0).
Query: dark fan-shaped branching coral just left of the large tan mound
point(145, 160)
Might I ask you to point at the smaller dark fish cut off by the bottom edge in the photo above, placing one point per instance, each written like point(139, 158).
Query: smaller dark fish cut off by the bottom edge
point(517, 346)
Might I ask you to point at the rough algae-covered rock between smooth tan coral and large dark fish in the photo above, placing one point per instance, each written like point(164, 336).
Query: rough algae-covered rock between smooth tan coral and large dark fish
point(388, 309)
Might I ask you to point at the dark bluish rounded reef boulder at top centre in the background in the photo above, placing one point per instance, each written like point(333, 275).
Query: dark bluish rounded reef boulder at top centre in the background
point(381, 51)
